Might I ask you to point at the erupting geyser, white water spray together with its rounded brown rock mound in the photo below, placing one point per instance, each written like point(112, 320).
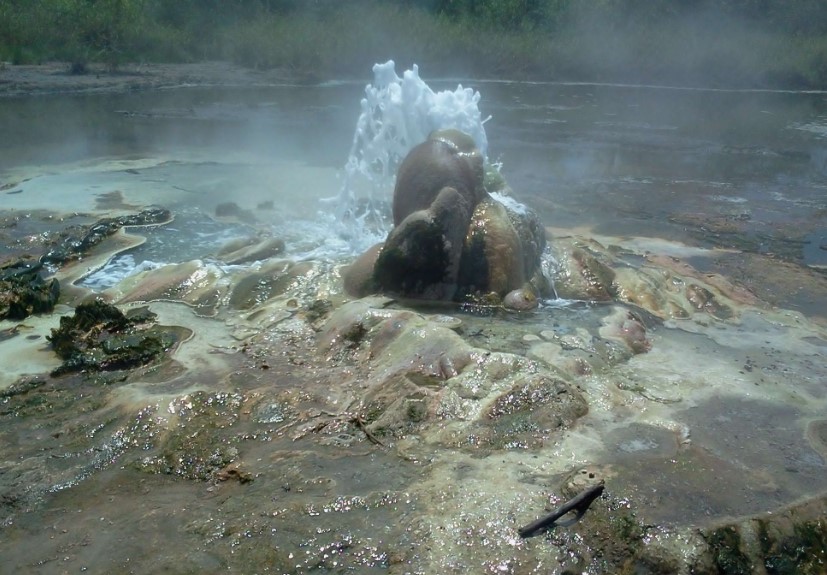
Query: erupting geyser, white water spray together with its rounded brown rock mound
point(452, 239)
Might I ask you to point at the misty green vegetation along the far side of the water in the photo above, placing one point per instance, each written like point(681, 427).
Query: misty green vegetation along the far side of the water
point(744, 43)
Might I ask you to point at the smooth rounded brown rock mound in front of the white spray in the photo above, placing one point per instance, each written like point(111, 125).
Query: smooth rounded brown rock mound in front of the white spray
point(453, 240)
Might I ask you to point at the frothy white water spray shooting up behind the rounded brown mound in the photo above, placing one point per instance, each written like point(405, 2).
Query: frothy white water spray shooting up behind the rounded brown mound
point(396, 115)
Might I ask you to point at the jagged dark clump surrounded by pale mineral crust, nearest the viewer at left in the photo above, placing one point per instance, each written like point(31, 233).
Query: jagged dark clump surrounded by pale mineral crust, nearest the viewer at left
point(99, 337)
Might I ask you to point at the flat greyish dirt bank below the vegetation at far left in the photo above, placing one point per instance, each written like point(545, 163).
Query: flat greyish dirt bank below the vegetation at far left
point(55, 77)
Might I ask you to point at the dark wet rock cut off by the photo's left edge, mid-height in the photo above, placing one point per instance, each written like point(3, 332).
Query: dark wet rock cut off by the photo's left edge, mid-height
point(24, 292)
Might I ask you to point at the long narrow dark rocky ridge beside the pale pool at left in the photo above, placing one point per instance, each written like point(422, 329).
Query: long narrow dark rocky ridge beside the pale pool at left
point(74, 241)
